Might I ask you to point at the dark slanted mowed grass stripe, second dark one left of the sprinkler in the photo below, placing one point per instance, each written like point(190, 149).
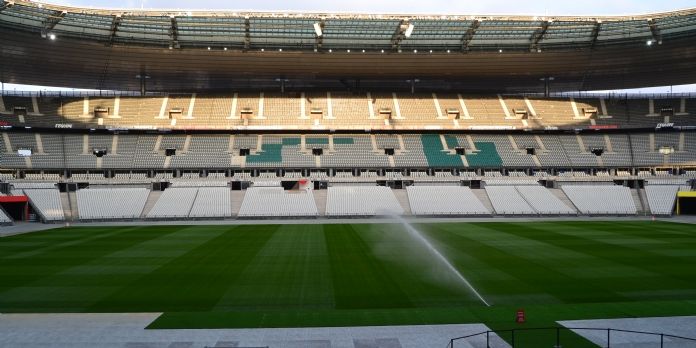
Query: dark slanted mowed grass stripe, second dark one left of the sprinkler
point(194, 281)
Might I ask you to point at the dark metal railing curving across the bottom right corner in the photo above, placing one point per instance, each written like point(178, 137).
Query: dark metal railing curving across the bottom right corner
point(493, 338)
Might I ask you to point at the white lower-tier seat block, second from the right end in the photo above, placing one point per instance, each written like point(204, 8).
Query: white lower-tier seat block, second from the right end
point(601, 199)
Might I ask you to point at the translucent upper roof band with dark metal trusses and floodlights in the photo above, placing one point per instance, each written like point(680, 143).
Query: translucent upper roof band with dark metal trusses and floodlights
point(293, 30)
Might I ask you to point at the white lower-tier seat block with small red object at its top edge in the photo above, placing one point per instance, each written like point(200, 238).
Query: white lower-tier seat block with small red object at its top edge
point(276, 202)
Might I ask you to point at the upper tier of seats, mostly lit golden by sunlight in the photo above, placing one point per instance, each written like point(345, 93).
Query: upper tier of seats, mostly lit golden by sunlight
point(336, 110)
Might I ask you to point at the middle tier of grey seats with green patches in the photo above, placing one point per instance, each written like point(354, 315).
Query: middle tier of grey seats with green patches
point(352, 150)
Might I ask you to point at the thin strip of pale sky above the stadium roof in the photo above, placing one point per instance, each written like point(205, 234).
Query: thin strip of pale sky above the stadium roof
point(538, 7)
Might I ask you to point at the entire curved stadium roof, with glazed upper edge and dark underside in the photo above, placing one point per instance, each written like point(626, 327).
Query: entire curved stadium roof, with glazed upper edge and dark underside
point(97, 48)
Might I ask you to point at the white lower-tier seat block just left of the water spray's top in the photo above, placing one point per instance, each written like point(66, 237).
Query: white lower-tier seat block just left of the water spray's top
point(361, 201)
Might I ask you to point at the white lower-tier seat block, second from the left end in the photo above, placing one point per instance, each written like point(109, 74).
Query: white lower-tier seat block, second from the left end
point(111, 203)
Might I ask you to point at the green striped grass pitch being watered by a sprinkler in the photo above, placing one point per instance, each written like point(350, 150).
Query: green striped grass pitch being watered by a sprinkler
point(354, 274)
